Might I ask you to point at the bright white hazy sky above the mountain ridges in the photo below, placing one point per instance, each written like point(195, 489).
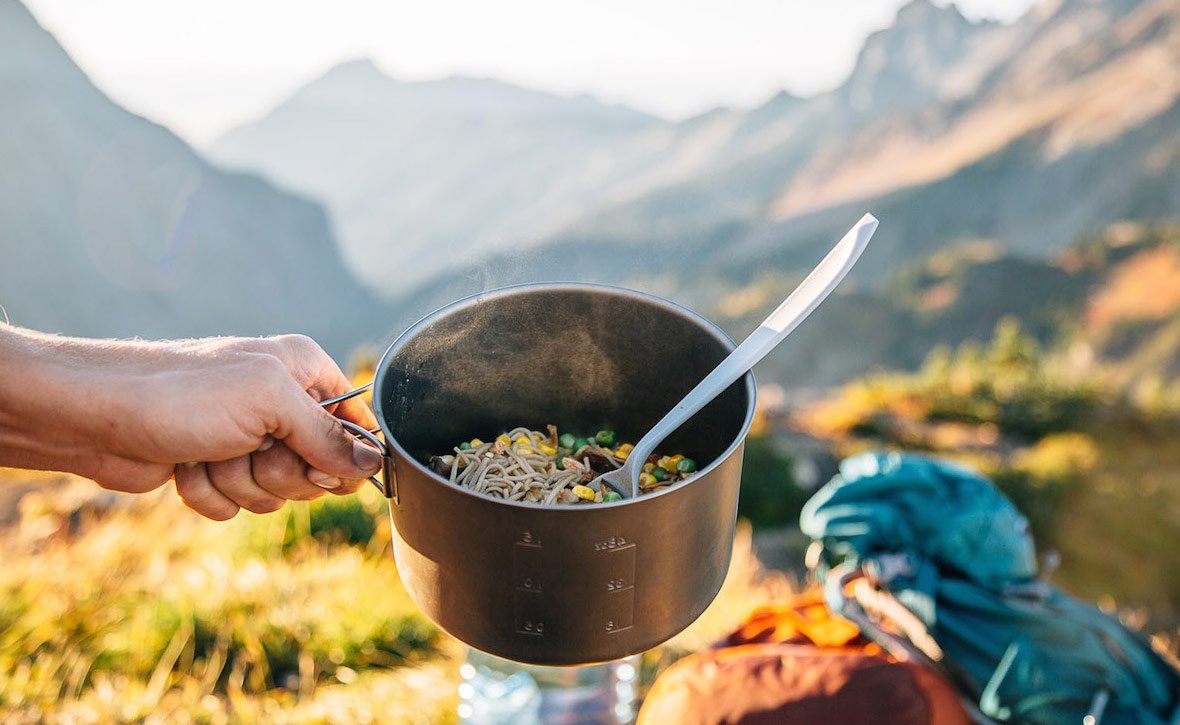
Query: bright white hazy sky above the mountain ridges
point(204, 68)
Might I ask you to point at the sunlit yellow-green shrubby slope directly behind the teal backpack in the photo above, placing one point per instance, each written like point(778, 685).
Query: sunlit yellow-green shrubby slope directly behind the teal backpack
point(1094, 466)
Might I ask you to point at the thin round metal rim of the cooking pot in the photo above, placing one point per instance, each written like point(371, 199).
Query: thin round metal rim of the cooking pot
point(480, 298)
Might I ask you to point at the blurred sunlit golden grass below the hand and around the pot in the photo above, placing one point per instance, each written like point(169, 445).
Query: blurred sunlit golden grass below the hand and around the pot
point(117, 609)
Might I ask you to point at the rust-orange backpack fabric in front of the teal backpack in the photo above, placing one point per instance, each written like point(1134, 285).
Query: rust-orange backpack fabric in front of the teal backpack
point(799, 664)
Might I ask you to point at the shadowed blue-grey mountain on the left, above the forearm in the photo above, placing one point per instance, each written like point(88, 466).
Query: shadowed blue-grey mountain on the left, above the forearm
point(113, 226)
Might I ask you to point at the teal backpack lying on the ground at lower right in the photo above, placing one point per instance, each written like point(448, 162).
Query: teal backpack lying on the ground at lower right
point(959, 565)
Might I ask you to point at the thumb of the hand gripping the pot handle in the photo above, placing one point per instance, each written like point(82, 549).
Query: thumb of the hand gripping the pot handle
point(318, 437)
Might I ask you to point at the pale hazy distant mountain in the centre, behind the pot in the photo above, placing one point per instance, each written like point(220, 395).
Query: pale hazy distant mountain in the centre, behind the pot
point(418, 174)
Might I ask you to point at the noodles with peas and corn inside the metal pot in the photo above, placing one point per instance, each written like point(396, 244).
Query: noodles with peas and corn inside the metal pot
point(552, 468)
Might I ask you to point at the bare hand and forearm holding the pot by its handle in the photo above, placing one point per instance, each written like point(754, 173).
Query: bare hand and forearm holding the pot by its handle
point(235, 421)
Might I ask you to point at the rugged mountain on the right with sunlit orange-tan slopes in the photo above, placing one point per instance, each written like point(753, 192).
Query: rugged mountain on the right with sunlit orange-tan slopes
point(1033, 135)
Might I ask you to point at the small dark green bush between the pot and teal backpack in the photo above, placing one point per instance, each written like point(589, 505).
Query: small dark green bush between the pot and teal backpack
point(770, 495)
